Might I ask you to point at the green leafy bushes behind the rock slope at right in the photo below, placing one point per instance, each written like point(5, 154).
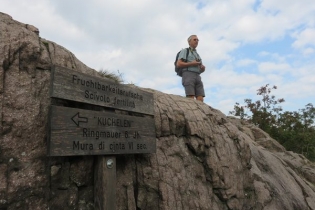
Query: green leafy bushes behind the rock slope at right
point(294, 130)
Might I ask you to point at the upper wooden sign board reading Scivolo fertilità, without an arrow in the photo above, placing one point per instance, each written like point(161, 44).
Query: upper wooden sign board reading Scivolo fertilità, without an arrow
point(73, 85)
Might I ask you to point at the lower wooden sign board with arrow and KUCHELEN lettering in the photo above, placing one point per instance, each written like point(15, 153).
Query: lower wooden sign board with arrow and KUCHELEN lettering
point(84, 132)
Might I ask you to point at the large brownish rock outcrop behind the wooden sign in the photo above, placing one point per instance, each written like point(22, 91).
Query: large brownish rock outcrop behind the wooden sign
point(204, 159)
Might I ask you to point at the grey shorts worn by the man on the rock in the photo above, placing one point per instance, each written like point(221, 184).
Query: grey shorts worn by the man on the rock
point(192, 84)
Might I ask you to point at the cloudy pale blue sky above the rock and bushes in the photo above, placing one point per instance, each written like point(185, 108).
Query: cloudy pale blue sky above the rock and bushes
point(245, 44)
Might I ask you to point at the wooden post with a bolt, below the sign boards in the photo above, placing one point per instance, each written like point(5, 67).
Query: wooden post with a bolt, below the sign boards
point(105, 183)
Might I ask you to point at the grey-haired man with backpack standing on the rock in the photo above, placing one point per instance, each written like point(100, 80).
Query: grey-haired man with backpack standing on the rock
point(192, 68)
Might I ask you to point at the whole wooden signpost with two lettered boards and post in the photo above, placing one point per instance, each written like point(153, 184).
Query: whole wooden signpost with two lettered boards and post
point(88, 131)
